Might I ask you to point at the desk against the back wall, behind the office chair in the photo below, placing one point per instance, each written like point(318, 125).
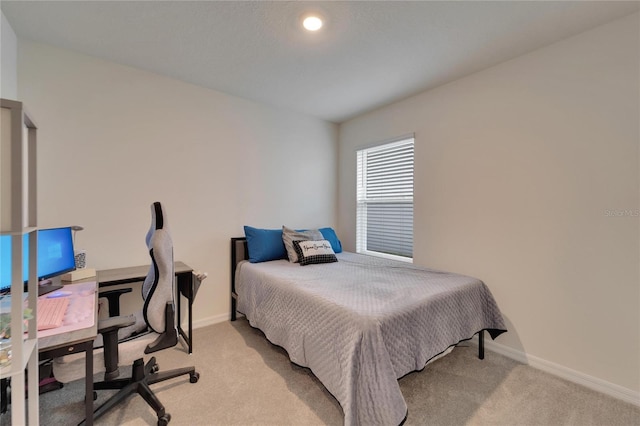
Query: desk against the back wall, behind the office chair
point(137, 274)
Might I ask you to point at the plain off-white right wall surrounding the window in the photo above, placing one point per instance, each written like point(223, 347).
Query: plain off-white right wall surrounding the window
point(526, 176)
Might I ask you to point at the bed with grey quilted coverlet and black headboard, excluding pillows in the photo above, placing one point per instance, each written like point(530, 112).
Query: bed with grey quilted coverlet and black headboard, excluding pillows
point(361, 323)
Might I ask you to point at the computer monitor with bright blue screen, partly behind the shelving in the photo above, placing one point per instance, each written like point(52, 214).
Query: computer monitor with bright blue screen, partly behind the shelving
point(55, 255)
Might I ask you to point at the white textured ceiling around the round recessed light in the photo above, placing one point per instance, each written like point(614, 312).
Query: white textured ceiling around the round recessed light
point(368, 54)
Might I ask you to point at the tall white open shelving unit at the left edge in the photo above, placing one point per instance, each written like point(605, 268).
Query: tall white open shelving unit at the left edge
point(18, 217)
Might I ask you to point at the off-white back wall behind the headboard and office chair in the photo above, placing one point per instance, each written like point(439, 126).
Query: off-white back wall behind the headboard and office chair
point(113, 139)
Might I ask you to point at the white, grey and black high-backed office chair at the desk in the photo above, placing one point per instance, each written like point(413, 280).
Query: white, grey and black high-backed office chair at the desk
point(158, 317)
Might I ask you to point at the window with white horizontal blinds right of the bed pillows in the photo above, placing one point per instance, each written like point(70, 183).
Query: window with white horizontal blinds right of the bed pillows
point(385, 200)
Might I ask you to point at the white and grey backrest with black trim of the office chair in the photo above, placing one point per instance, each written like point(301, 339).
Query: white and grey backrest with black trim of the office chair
point(158, 289)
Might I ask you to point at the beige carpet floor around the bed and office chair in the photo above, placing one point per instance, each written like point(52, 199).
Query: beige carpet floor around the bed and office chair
point(244, 380)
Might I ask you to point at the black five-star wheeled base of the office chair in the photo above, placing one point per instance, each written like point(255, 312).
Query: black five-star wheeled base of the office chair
point(141, 377)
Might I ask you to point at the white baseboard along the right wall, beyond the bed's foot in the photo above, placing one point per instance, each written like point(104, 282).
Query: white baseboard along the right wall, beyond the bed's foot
point(574, 376)
